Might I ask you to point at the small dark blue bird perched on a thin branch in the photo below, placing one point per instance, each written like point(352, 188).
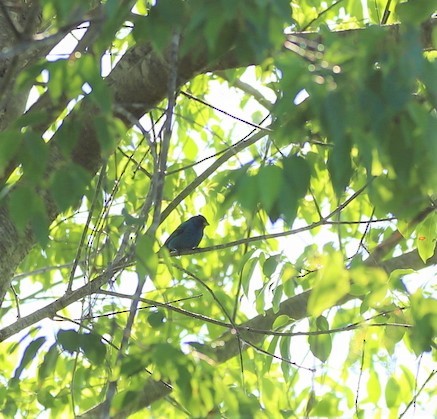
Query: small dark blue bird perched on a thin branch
point(187, 235)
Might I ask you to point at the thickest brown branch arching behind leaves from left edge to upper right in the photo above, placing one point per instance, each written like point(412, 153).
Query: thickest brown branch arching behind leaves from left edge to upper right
point(138, 83)
